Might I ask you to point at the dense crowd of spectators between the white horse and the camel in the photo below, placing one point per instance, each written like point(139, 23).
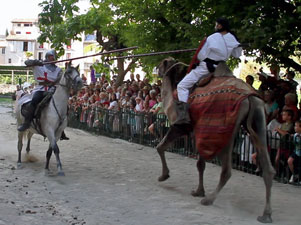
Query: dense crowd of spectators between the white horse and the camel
point(137, 96)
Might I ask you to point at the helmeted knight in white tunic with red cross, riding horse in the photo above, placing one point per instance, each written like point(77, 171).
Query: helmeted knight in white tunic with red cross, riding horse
point(46, 76)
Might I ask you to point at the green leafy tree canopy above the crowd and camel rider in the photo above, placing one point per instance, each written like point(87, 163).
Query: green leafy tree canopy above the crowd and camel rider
point(271, 28)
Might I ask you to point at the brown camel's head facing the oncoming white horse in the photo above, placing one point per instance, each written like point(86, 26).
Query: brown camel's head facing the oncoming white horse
point(172, 69)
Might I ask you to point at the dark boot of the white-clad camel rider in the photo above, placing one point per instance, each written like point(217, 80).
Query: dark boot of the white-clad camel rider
point(183, 120)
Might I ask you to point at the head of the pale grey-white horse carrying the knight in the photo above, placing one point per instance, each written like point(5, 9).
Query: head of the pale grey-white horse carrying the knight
point(72, 76)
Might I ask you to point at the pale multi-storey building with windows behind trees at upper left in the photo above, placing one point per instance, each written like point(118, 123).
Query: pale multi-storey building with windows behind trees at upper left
point(21, 44)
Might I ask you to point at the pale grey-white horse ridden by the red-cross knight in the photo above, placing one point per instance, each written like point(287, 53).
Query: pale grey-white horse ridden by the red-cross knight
point(53, 117)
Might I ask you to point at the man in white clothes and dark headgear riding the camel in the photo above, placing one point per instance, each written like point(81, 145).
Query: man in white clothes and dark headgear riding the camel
point(217, 47)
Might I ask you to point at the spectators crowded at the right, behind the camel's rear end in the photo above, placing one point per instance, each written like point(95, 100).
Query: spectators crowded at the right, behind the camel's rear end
point(283, 120)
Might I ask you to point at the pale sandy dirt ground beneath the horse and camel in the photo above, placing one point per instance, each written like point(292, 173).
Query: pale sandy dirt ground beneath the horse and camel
point(113, 182)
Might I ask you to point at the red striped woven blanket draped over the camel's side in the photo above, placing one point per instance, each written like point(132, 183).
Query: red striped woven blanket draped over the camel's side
point(214, 109)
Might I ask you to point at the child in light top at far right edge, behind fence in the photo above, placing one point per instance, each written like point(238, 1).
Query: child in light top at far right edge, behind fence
point(294, 160)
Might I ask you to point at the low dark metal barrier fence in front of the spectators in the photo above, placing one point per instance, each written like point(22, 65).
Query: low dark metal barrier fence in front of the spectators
point(133, 127)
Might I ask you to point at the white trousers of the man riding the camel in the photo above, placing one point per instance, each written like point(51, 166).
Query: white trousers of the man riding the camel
point(189, 80)
